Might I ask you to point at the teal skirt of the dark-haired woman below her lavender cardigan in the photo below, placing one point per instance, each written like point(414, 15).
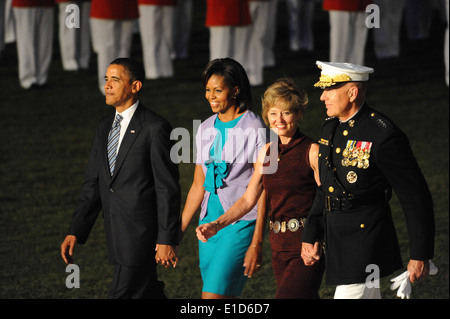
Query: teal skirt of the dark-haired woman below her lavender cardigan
point(222, 256)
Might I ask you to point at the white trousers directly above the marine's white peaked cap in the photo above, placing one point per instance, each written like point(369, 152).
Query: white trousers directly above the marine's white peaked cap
point(348, 34)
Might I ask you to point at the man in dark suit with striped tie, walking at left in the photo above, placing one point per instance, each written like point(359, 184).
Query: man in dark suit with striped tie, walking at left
point(132, 179)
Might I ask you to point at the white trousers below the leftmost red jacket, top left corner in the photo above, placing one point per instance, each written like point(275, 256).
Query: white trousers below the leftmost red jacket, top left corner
point(34, 38)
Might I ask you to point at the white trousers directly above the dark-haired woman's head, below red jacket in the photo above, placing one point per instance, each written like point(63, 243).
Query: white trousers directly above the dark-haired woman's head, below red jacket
point(231, 42)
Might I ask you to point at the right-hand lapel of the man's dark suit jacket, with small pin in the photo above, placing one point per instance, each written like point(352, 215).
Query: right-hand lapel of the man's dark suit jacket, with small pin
point(133, 129)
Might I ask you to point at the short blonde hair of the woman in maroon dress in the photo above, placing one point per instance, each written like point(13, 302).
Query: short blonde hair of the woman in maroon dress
point(284, 93)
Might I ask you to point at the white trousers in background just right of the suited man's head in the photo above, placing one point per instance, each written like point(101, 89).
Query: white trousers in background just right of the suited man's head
point(156, 24)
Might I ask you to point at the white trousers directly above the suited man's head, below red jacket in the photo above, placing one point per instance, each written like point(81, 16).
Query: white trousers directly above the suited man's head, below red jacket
point(111, 39)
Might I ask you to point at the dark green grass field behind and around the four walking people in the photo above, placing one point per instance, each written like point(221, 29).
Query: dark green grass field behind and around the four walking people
point(47, 134)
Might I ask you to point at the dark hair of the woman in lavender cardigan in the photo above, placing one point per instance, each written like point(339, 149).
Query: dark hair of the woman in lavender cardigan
point(234, 75)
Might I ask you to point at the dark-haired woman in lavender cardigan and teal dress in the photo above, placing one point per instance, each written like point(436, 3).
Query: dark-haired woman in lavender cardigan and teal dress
point(227, 144)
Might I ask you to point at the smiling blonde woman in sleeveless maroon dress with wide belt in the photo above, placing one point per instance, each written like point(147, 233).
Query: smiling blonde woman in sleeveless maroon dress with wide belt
point(289, 193)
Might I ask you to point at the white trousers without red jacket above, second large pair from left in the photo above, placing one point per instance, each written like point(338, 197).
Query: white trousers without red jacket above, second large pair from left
point(75, 43)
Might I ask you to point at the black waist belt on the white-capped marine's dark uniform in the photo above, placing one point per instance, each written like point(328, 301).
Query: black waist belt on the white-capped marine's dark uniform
point(333, 203)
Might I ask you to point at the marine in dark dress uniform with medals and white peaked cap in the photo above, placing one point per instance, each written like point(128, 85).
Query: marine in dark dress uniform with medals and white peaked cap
point(363, 156)
